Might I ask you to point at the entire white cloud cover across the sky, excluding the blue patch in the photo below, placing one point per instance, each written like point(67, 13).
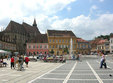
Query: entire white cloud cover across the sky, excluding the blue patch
point(44, 11)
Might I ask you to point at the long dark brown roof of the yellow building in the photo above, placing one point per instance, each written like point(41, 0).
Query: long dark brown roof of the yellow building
point(60, 33)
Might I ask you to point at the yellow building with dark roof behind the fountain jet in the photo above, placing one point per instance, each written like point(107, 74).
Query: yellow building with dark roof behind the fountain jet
point(61, 42)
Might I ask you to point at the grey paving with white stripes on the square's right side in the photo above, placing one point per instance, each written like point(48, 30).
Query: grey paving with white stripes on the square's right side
point(84, 71)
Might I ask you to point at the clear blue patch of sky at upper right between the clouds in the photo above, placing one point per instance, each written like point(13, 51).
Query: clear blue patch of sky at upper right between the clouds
point(84, 7)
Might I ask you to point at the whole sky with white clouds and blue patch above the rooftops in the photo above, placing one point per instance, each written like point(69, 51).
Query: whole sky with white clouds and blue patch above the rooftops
point(86, 18)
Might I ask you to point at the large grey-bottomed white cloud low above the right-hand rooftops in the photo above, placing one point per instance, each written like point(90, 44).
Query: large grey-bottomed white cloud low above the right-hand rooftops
point(85, 27)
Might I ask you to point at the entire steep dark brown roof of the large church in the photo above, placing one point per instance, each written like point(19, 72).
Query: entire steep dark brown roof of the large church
point(21, 28)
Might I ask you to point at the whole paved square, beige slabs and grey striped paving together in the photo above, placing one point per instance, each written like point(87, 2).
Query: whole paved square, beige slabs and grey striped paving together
point(84, 71)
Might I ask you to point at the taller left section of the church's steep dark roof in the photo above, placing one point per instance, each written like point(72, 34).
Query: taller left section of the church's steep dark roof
point(15, 27)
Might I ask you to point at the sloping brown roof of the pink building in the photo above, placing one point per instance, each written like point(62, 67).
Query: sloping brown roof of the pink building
point(42, 38)
